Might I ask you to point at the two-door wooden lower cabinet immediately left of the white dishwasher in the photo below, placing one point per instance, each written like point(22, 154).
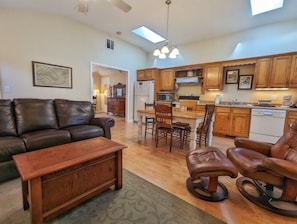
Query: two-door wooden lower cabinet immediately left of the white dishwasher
point(232, 121)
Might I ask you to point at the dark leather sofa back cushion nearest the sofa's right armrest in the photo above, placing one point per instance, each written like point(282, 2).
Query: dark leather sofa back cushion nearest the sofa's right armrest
point(72, 113)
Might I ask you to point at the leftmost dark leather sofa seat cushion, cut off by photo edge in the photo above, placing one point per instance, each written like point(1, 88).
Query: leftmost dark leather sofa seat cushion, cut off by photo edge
point(10, 146)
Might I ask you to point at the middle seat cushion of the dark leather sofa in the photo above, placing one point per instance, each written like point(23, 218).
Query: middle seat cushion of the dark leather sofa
point(45, 138)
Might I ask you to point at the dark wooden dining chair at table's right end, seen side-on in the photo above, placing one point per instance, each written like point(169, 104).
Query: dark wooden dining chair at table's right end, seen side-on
point(203, 129)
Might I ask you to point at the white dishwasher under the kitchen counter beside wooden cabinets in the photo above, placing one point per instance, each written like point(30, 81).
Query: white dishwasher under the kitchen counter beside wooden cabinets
point(267, 125)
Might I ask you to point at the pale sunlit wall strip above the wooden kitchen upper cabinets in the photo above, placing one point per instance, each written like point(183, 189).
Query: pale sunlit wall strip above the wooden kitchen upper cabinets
point(270, 39)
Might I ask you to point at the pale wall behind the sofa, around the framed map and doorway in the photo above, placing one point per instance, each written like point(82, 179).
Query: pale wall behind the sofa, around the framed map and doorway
point(28, 36)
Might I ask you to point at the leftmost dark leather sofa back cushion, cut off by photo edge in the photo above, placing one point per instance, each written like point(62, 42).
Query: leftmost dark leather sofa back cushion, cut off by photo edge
point(7, 119)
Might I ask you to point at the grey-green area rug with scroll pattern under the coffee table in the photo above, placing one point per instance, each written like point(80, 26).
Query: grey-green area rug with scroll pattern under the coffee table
point(137, 202)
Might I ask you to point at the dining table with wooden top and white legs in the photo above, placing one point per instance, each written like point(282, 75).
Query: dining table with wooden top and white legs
point(193, 118)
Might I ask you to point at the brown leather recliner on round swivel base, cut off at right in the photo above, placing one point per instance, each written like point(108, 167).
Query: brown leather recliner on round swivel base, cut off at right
point(269, 171)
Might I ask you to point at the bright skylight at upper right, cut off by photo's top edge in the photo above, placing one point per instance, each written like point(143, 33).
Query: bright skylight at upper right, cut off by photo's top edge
point(260, 6)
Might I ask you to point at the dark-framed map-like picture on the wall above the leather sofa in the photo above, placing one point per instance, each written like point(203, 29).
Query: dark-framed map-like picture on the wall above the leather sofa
point(48, 75)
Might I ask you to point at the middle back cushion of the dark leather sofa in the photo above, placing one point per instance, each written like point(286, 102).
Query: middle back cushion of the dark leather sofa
point(35, 114)
